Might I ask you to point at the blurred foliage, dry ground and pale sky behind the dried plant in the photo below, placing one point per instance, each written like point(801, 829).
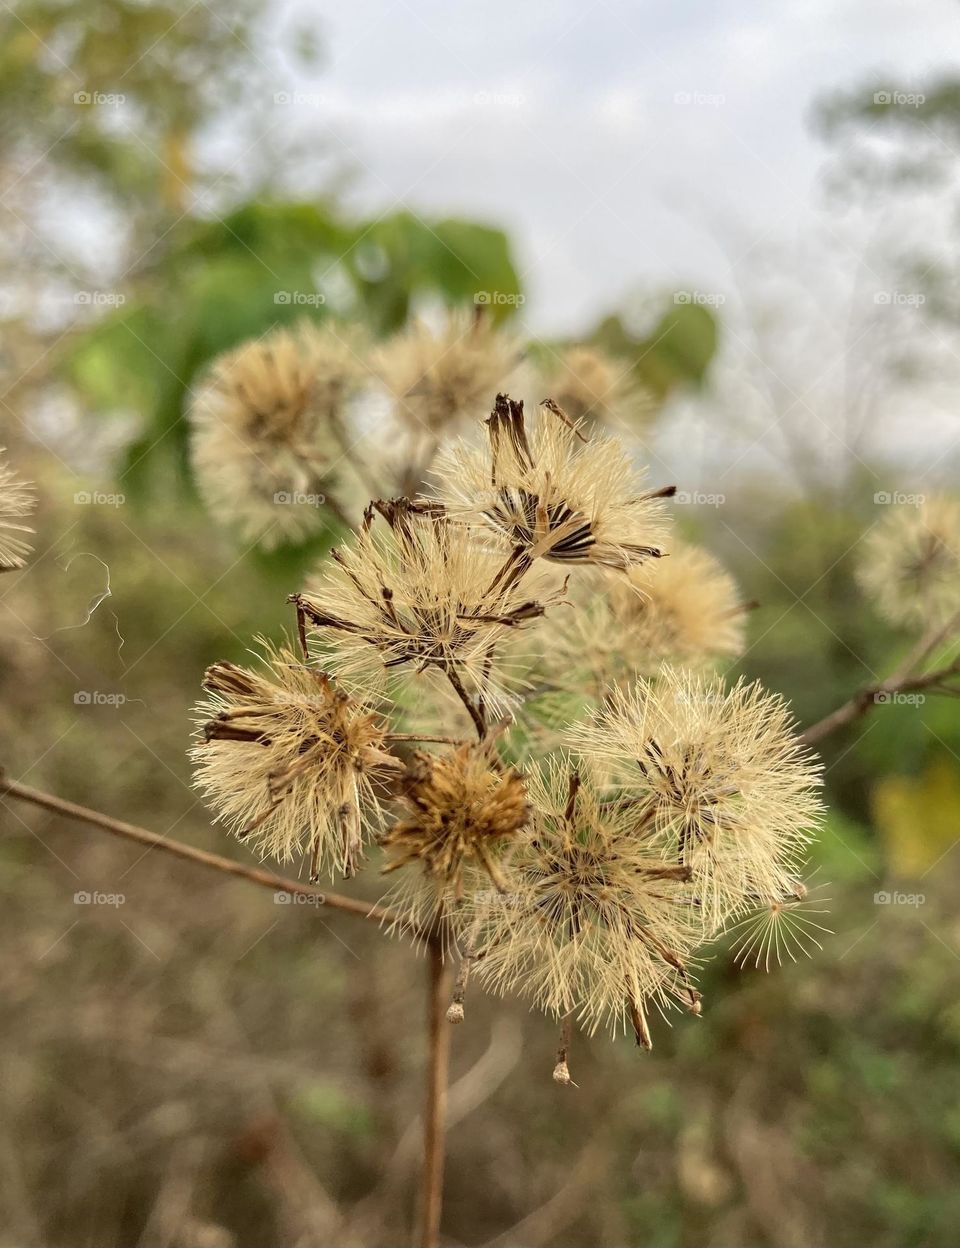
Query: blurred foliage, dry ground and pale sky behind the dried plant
point(756, 212)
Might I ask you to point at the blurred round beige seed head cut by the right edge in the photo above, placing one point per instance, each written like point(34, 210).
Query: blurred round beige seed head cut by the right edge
point(911, 563)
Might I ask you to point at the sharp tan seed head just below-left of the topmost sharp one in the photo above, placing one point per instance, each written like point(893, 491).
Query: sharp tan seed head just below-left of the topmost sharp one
point(421, 591)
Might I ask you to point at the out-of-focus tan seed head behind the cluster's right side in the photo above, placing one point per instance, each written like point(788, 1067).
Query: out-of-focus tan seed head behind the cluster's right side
point(685, 608)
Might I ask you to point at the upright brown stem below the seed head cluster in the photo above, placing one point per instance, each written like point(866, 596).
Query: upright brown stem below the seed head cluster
point(435, 1113)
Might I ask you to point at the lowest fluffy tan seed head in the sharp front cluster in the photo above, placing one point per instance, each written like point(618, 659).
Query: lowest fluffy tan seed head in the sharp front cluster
point(595, 923)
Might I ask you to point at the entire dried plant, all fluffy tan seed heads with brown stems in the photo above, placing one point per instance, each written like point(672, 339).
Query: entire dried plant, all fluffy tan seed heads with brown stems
point(587, 874)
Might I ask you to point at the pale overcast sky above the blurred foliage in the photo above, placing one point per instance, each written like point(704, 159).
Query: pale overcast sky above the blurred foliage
point(624, 145)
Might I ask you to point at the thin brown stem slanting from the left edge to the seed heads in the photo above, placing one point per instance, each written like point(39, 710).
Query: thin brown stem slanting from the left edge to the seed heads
point(203, 858)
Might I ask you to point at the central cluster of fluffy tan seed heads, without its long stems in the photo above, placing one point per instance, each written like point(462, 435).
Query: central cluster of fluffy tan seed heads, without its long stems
point(586, 877)
